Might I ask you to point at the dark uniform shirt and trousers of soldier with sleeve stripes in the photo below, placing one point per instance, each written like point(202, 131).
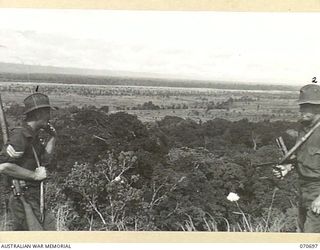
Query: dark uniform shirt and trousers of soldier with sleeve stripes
point(19, 150)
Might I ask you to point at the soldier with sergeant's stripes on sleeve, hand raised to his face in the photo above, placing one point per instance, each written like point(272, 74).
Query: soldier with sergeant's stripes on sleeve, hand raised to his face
point(21, 157)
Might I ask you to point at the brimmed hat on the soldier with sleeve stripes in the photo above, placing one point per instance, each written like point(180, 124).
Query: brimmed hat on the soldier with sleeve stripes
point(36, 101)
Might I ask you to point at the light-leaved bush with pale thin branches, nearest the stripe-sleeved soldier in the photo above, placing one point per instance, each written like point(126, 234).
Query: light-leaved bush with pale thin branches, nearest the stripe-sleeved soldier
point(103, 195)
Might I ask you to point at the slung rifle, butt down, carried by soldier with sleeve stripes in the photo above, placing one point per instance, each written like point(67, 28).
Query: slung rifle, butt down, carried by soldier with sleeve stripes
point(32, 221)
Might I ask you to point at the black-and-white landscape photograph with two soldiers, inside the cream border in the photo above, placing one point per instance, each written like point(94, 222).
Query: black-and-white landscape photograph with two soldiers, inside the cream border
point(123, 120)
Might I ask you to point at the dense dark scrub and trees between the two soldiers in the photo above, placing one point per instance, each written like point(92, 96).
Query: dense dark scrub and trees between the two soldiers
point(112, 172)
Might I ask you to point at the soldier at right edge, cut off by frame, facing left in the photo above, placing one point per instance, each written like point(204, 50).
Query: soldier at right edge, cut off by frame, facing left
point(308, 161)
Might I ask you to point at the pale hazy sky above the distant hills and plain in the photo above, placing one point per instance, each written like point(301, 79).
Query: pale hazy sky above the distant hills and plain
point(279, 48)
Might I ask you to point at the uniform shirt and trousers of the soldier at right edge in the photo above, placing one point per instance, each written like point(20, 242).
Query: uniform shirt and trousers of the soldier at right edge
point(308, 168)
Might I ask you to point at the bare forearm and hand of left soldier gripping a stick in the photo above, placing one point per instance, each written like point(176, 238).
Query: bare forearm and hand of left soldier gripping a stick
point(18, 172)
